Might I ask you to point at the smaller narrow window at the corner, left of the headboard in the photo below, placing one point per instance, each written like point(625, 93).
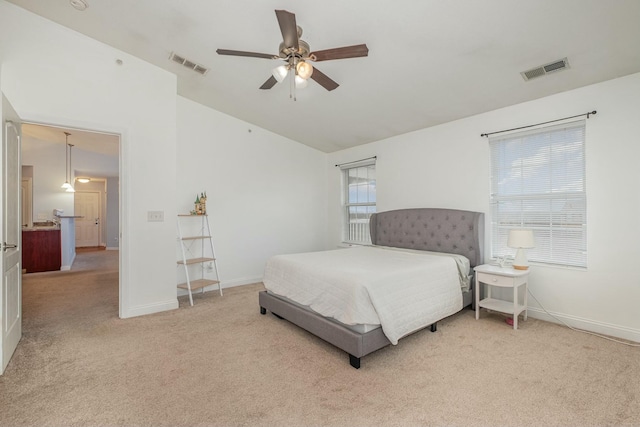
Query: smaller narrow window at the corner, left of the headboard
point(359, 180)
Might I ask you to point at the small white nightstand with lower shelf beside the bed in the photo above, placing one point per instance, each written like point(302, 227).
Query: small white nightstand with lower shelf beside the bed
point(504, 277)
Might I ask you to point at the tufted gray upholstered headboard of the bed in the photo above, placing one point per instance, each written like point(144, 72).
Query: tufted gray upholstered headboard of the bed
point(431, 229)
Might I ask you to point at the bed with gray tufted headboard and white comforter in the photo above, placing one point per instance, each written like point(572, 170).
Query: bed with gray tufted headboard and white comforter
point(410, 248)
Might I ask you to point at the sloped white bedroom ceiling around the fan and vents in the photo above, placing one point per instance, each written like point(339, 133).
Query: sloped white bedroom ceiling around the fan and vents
point(430, 61)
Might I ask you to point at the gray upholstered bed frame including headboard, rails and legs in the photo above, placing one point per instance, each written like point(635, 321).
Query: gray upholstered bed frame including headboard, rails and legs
point(430, 229)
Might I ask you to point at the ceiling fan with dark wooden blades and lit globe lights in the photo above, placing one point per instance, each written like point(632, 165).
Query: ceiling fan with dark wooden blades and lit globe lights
point(297, 54)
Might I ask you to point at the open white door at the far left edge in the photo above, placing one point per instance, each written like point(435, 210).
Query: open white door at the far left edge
point(10, 236)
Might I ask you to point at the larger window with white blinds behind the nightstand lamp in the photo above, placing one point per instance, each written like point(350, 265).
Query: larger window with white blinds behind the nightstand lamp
point(538, 183)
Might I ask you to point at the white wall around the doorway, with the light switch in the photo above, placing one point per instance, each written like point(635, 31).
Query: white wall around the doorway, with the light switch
point(53, 75)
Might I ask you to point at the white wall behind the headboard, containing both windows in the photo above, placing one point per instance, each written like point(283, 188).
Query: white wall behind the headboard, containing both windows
point(448, 166)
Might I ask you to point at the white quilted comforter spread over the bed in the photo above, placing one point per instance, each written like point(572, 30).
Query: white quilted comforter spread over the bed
point(402, 291)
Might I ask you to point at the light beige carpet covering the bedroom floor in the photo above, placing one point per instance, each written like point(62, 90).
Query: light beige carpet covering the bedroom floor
point(221, 363)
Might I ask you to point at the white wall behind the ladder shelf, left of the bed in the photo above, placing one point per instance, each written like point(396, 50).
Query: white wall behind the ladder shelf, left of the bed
point(266, 194)
